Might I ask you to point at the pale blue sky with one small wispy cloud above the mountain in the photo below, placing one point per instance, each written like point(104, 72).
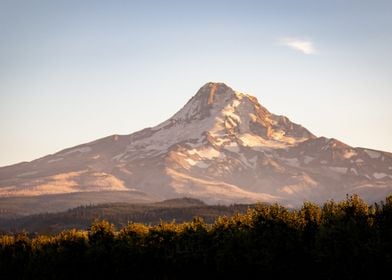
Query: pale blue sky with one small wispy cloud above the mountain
point(75, 71)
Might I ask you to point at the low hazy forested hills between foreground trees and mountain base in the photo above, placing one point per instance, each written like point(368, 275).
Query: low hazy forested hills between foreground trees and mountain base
point(179, 210)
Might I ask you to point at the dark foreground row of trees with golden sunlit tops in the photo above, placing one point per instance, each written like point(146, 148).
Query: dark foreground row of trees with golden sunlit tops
point(338, 240)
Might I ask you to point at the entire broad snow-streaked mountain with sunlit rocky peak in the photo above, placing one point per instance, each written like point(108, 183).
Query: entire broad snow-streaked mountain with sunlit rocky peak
point(223, 146)
